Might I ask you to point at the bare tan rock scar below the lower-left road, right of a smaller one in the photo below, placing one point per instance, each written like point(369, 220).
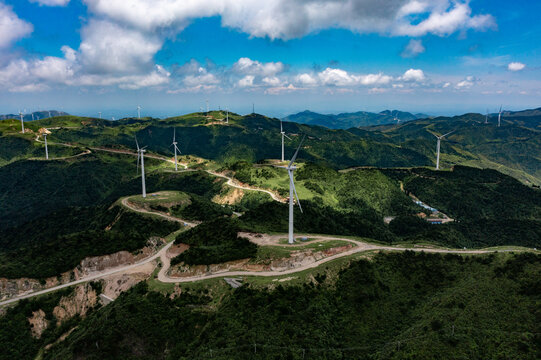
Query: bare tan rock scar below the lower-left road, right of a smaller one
point(83, 299)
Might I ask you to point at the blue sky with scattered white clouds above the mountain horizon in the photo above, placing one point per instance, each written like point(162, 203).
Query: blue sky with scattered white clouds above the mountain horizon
point(437, 56)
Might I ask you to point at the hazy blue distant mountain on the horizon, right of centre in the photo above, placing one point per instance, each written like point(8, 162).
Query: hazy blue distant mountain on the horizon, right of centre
point(351, 120)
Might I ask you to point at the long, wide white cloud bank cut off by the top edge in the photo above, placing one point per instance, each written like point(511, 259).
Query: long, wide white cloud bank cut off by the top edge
point(281, 19)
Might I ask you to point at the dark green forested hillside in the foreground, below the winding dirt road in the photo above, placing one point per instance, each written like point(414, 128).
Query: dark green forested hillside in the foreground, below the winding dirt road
point(400, 305)
